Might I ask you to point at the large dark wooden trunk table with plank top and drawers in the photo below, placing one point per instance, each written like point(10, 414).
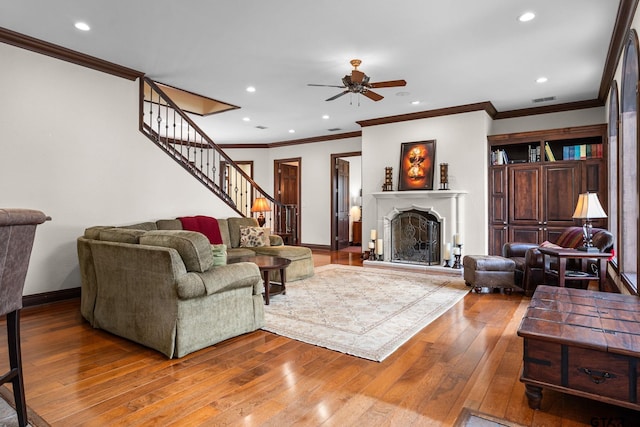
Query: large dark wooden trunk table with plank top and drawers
point(584, 343)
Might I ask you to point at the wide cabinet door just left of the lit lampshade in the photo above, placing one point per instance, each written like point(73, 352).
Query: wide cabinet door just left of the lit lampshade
point(561, 190)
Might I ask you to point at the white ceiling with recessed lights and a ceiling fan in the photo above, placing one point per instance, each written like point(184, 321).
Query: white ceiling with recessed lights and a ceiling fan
point(450, 52)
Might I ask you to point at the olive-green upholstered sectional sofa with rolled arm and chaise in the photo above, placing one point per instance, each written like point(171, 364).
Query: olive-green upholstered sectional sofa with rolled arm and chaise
point(161, 286)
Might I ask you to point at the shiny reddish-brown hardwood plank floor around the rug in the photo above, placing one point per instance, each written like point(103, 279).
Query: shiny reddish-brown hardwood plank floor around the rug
point(470, 357)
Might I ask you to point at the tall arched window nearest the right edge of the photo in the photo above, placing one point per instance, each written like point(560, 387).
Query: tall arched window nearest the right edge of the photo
point(628, 166)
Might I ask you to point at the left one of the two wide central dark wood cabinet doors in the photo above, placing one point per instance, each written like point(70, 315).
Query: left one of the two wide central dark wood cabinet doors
point(524, 194)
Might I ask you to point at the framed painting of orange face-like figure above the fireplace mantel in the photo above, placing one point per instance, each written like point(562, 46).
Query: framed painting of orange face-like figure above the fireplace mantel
point(416, 165)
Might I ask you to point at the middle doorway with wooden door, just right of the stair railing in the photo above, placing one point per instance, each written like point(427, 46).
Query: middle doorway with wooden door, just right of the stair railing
point(287, 190)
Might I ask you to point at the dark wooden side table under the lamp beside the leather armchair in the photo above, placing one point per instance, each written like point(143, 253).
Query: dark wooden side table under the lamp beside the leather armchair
point(562, 274)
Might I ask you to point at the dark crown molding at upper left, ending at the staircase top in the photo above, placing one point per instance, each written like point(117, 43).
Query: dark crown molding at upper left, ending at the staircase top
point(59, 52)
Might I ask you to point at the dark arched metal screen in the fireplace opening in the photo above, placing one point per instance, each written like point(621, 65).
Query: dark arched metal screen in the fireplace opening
point(415, 238)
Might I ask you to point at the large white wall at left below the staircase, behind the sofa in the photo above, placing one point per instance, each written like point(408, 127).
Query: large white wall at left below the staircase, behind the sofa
point(70, 147)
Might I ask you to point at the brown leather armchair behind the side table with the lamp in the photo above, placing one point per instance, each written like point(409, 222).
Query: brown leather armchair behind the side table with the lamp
point(530, 261)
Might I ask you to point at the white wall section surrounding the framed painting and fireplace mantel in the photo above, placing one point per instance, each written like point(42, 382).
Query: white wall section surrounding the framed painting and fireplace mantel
point(461, 141)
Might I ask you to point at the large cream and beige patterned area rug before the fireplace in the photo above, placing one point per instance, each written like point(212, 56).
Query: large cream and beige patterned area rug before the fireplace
point(365, 312)
